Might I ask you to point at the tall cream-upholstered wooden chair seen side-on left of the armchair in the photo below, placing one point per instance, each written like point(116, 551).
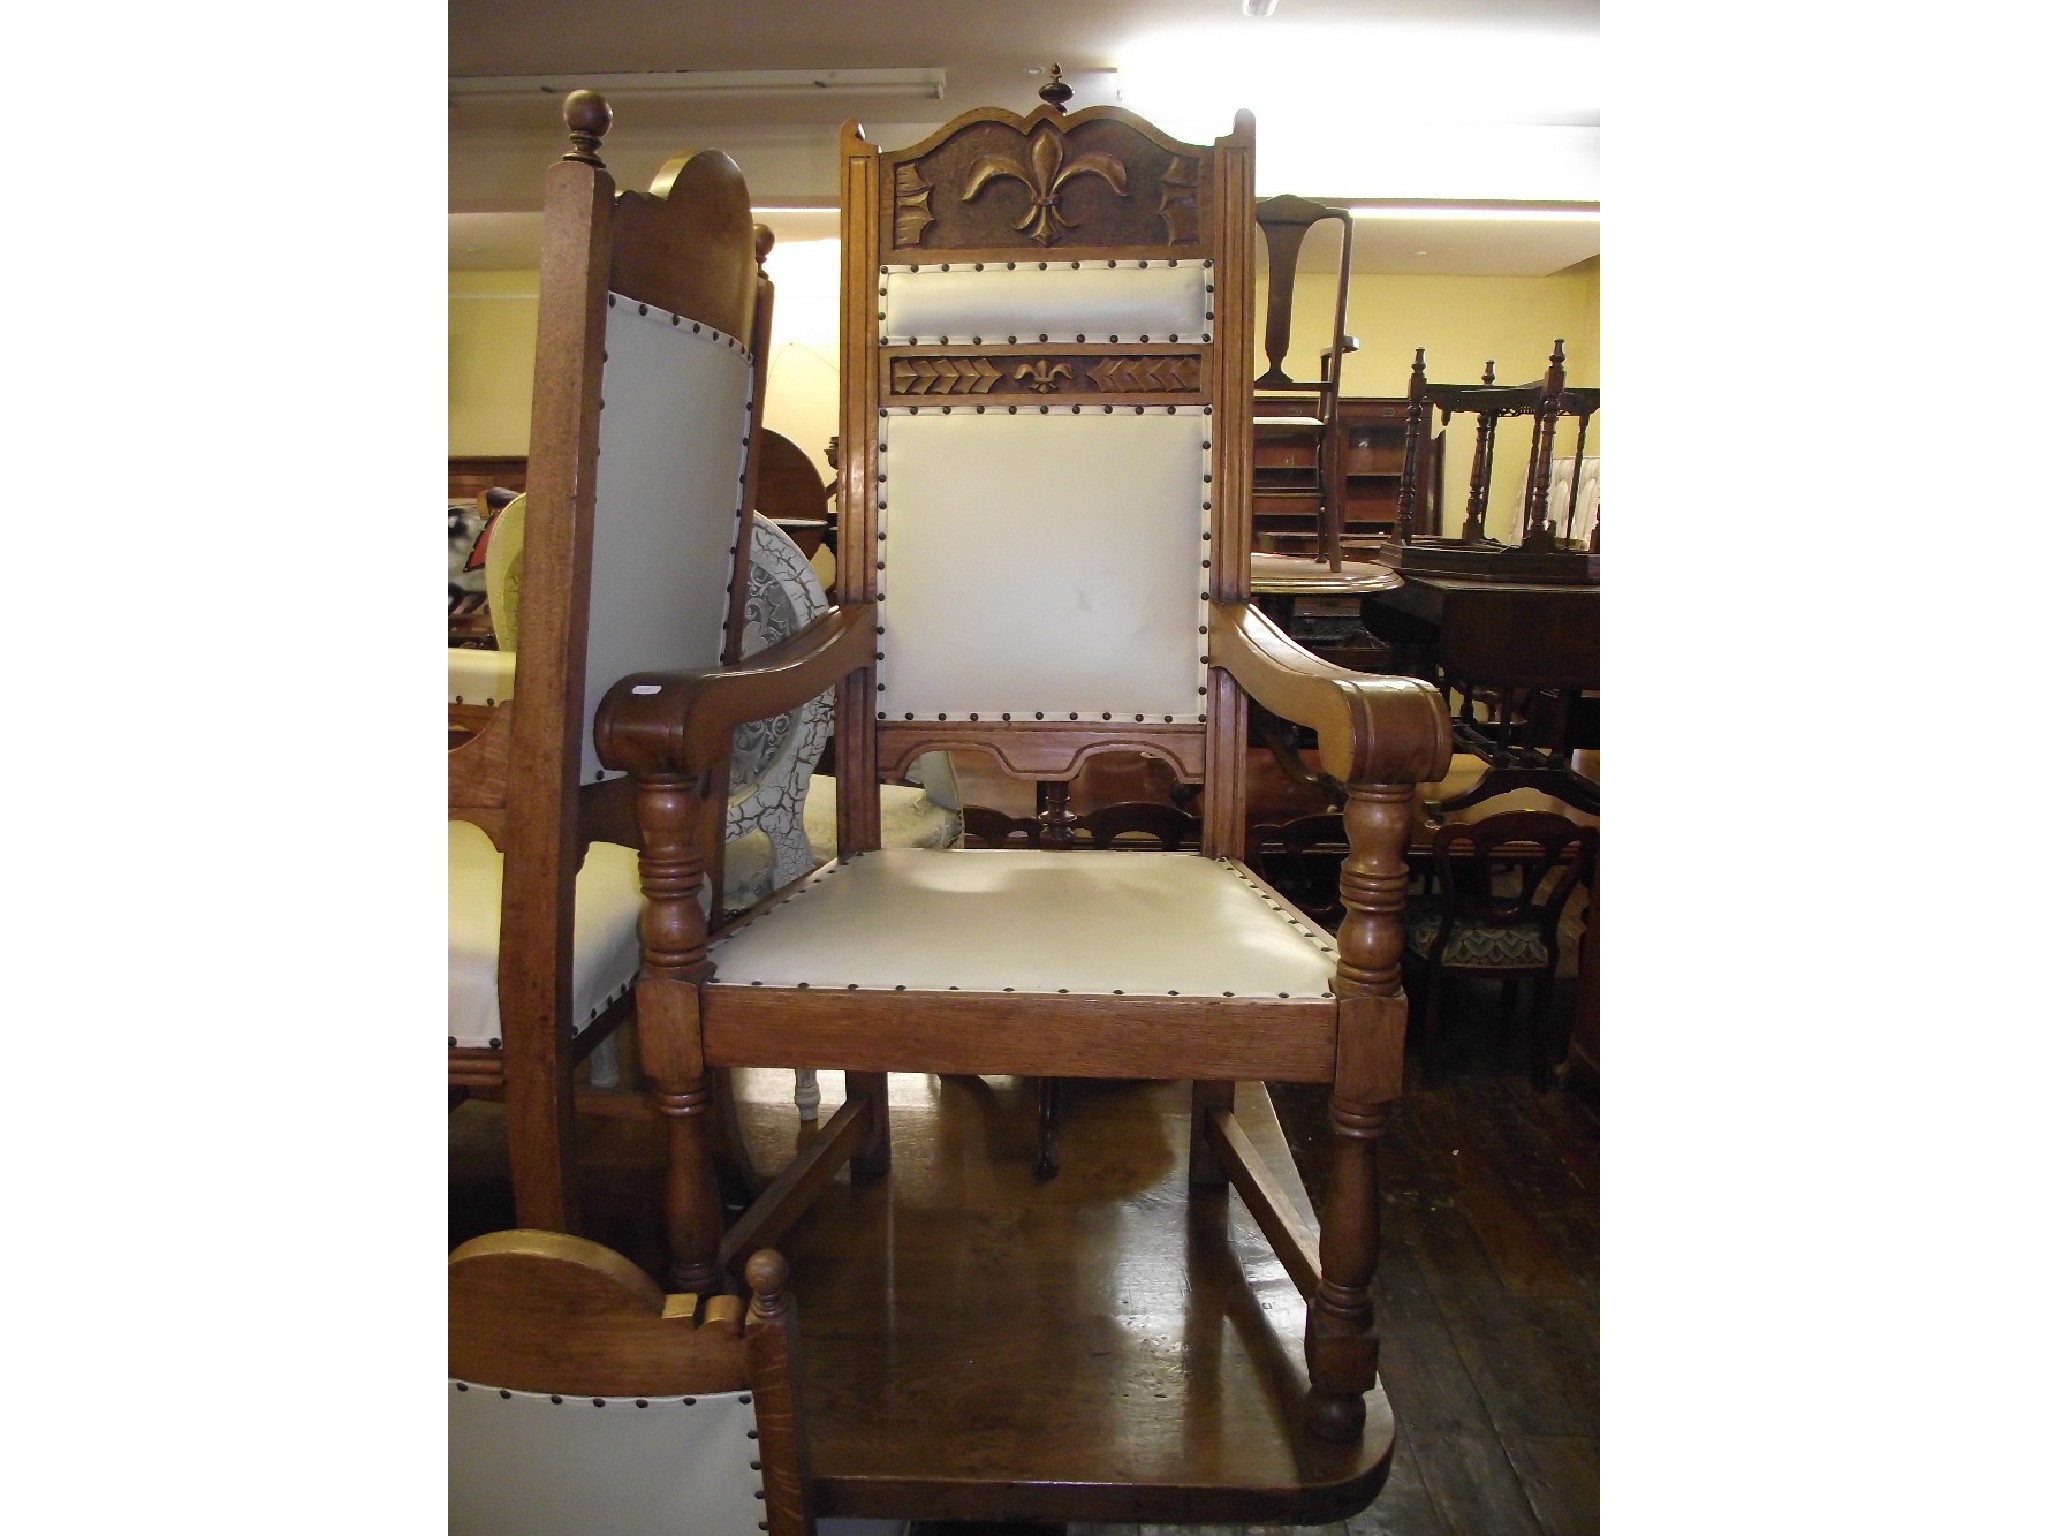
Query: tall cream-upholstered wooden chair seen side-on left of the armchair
point(648, 314)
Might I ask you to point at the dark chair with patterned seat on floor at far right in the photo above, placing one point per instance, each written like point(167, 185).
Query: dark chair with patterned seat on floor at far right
point(1502, 886)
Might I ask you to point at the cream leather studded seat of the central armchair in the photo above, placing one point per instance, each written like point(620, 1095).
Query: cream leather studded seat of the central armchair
point(1031, 921)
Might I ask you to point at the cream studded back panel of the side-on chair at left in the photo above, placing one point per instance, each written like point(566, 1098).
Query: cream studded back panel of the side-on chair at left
point(671, 462)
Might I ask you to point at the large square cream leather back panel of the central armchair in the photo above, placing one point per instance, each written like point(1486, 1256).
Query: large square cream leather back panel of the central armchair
point(1043, 566)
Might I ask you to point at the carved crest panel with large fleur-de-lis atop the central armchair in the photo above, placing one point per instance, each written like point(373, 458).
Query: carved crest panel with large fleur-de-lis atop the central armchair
point(1050, 183)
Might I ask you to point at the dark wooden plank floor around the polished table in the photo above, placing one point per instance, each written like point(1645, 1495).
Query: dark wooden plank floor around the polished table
point(1488, 1289)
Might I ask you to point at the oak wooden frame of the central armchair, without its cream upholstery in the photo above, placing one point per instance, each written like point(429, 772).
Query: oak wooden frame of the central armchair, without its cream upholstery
point(1379, 738)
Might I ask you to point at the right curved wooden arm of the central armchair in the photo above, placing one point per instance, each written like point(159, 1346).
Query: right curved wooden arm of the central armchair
point(1371, 730)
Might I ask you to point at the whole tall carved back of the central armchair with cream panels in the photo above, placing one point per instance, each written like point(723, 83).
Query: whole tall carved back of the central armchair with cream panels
point(1043, 443)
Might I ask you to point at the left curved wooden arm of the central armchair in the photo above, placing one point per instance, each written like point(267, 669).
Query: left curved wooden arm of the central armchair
point(683, 722)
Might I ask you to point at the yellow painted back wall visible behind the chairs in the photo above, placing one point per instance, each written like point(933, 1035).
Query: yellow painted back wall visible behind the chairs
point(1459, 321)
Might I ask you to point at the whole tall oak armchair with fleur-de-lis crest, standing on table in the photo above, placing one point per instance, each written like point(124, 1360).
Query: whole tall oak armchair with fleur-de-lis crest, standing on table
point(1048, 347)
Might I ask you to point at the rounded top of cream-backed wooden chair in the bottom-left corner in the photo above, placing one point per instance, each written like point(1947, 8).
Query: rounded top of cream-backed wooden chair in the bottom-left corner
point(583, 1400)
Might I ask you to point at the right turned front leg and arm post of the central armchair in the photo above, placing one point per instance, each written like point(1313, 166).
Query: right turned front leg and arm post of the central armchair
point(1345, 1351)
